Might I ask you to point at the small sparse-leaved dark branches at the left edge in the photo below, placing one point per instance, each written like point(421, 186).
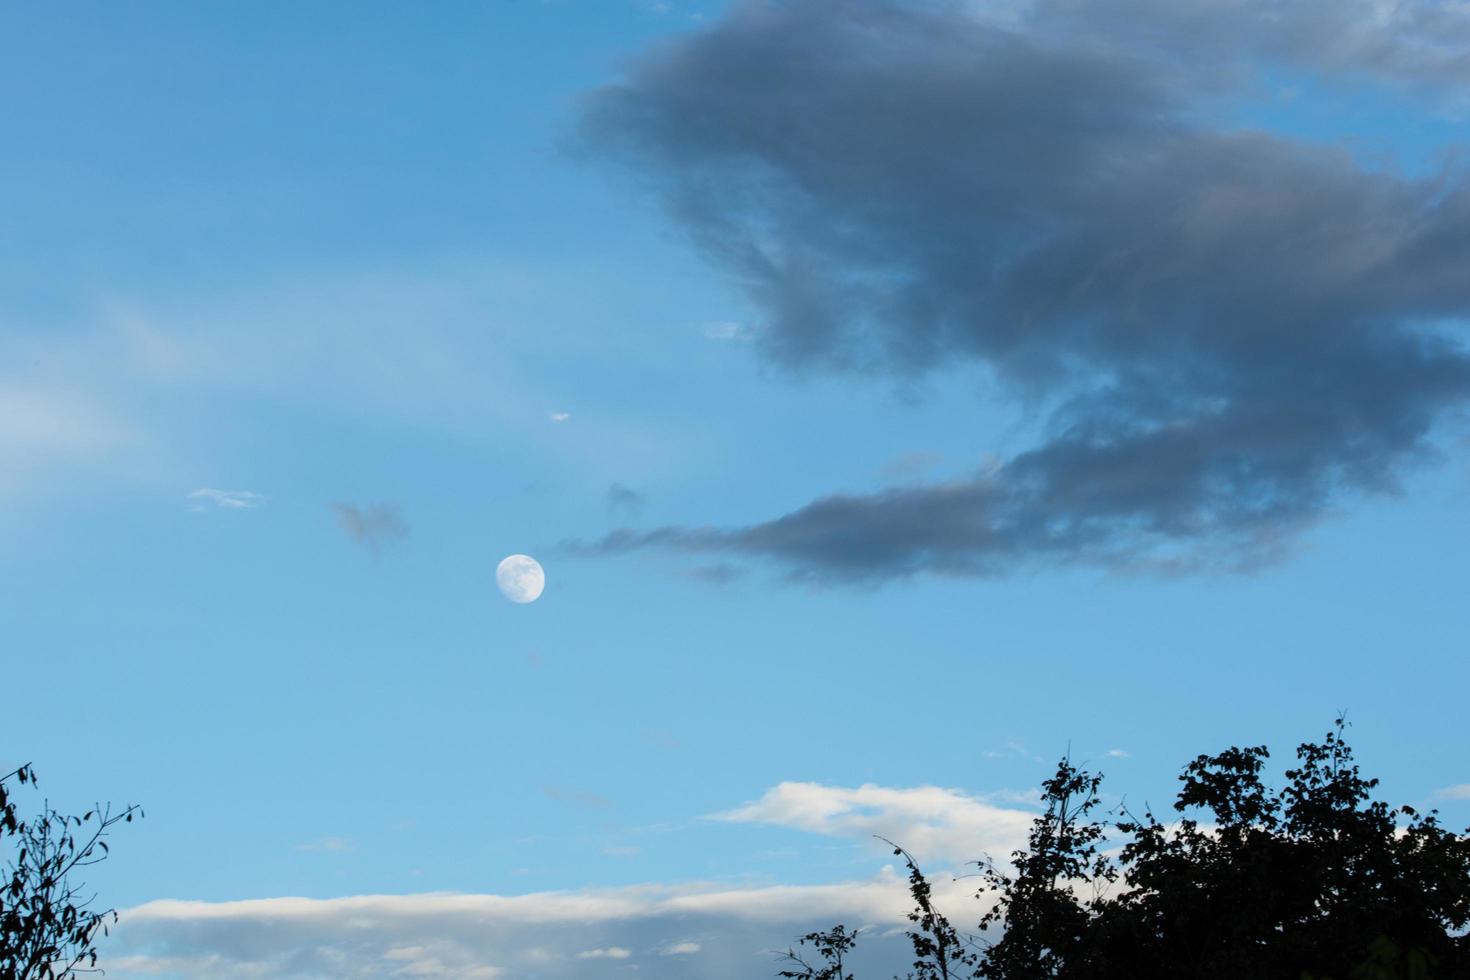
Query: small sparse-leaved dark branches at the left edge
point(48, 929)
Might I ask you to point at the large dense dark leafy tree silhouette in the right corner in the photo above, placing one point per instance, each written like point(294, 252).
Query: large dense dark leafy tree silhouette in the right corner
point(1316, 881)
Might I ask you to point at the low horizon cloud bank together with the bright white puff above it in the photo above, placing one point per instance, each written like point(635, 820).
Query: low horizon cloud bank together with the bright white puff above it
point(655, 931)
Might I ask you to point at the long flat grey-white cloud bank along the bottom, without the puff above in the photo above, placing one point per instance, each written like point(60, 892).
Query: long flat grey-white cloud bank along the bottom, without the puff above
point(650, 931)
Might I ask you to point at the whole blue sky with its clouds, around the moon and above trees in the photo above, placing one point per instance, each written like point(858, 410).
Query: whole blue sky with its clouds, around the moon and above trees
point(480, 267)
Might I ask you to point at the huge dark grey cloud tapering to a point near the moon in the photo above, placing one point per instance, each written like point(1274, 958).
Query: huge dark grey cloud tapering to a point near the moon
point(1231, 331)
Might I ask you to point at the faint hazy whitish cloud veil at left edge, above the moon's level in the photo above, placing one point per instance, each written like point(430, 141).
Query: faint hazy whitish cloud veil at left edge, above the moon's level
point(137, 390)
